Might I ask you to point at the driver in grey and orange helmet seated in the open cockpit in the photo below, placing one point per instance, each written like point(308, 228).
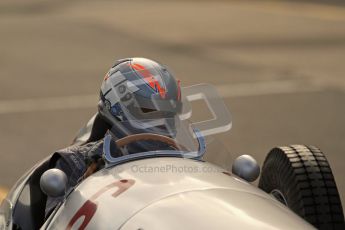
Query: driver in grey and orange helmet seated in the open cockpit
point(137, 95)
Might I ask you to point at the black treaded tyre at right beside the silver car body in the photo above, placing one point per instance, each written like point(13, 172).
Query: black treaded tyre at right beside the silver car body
point(301, 178)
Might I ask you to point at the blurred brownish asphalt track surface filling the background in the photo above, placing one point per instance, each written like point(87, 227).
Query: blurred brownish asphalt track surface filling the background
point(279, 65)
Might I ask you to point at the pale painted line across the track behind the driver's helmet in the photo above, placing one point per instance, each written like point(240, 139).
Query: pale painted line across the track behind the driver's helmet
point(90, 101)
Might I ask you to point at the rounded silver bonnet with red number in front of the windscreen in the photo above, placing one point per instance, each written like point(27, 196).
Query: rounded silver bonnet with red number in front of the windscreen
point(170, 193)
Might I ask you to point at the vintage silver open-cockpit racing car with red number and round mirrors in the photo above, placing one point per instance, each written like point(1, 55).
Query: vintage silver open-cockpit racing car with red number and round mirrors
point(177, 189)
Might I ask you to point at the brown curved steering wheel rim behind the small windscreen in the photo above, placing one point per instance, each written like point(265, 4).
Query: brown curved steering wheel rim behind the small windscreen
point(149, 137)
